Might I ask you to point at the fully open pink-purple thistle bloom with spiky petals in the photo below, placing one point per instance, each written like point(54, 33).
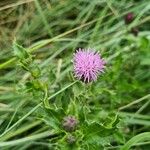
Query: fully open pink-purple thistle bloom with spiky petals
point(87, 64)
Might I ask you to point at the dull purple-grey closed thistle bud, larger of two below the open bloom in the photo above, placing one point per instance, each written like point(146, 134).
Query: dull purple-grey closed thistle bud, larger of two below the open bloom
point(70, 123)
